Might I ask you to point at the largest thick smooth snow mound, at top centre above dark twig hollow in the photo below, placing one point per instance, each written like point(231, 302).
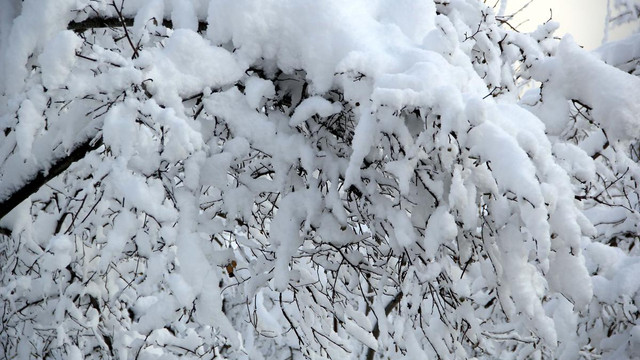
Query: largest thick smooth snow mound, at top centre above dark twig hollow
point(256, 30)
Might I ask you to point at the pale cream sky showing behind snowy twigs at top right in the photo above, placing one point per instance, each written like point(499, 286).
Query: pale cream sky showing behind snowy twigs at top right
point(584, 19)
